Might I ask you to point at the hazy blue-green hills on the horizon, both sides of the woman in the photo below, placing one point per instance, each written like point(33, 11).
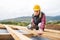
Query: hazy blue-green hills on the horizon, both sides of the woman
point(28, 19)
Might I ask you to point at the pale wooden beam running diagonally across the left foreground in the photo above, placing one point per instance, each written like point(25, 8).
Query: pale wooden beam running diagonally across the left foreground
point(16, 35)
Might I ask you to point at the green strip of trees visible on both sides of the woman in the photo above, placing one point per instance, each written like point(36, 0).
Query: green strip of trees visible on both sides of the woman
point(26, 23)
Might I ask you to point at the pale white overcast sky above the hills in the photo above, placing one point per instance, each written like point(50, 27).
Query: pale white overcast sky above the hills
point(19, 8)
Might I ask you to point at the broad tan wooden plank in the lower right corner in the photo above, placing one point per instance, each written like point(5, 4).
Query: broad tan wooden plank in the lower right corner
point(52, 36)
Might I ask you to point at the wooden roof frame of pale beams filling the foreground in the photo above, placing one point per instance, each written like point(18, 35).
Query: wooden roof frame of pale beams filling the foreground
point(13, 32)
